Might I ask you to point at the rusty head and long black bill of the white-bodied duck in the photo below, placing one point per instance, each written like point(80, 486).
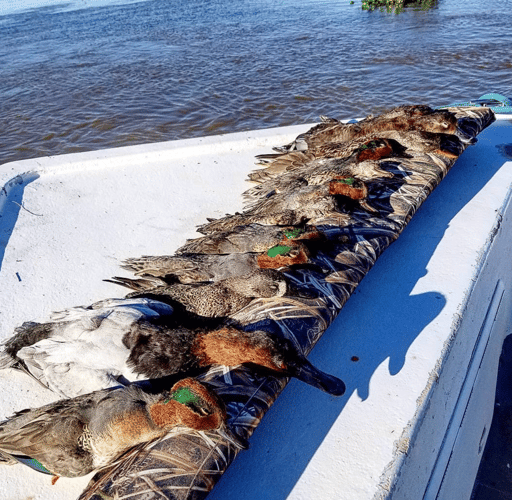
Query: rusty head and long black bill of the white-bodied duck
point(231, 347)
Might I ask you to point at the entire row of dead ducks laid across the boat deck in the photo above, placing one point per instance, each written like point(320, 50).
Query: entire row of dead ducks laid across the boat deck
point(130, 370)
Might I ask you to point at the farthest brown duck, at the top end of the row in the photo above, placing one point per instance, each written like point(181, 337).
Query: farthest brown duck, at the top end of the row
point(437, 121)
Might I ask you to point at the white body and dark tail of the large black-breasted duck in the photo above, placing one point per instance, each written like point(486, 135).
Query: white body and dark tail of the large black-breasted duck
point(99, 359)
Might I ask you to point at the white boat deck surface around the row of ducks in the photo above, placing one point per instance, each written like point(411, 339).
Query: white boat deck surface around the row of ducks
point(426, 324)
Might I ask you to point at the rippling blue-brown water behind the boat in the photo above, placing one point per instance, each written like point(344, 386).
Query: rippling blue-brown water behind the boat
point(76, 80)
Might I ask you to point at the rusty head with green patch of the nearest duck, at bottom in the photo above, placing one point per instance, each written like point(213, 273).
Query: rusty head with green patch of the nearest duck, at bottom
point(189, 403)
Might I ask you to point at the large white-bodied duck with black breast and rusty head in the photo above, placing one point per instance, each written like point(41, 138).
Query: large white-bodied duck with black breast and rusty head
point(88, 350)
